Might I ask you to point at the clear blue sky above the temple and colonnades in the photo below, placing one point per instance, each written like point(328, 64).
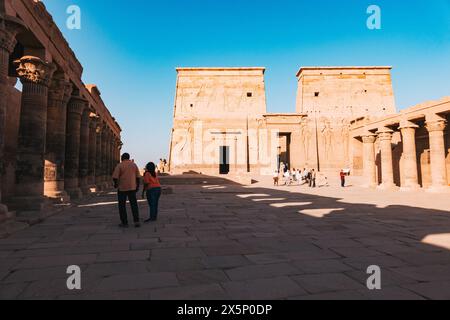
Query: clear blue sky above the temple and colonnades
point(130, 49)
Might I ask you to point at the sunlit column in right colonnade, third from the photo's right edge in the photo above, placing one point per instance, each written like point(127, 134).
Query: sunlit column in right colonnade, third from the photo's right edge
point(387, 167)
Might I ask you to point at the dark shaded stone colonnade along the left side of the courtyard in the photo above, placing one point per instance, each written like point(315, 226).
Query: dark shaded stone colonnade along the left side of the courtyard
point(57, 138)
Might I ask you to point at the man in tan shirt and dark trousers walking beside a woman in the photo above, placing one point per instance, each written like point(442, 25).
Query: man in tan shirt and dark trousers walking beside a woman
point(126, 179)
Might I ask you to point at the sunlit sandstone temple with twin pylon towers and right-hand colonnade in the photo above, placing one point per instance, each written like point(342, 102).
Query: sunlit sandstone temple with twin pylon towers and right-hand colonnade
point(345, 118)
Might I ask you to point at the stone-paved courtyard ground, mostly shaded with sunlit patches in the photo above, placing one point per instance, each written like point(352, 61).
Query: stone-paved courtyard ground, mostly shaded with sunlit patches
point(218, 240)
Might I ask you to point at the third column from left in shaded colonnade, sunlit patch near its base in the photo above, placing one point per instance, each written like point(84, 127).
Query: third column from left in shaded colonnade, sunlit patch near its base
point(55, 152)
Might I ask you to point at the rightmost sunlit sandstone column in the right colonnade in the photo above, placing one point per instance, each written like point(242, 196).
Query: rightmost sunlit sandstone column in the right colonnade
point(436, 126)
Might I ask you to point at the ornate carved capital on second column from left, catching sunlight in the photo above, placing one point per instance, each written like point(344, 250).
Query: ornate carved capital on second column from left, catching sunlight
point(34, 70)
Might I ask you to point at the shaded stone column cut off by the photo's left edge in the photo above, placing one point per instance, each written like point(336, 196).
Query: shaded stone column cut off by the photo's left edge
point(9, 27)
